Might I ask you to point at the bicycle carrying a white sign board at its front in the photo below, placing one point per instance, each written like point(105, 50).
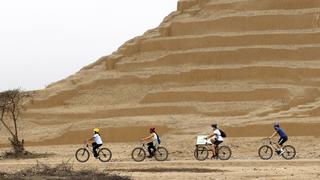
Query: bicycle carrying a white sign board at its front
point(202, 149)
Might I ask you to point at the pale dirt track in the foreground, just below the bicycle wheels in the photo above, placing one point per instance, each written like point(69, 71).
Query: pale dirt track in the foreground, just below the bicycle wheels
point(185, 169)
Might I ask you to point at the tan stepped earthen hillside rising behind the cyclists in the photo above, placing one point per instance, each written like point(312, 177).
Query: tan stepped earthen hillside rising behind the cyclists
point(239, 63)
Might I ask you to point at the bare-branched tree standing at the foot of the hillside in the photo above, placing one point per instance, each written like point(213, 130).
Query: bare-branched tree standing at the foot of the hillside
point(11, 106)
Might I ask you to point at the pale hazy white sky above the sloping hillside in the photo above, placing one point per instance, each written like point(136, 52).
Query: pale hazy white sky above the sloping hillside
point(43, 41)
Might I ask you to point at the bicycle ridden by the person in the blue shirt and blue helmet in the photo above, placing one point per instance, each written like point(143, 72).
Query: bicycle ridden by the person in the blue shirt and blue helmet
point(266, 151)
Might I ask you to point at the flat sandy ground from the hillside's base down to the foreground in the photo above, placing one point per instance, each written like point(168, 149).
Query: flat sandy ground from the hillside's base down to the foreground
point(244, 163)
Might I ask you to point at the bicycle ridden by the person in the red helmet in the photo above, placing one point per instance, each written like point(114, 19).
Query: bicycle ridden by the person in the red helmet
point(139, 153)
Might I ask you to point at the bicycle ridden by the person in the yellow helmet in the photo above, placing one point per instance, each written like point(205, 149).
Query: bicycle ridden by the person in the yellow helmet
point(83, 154)
